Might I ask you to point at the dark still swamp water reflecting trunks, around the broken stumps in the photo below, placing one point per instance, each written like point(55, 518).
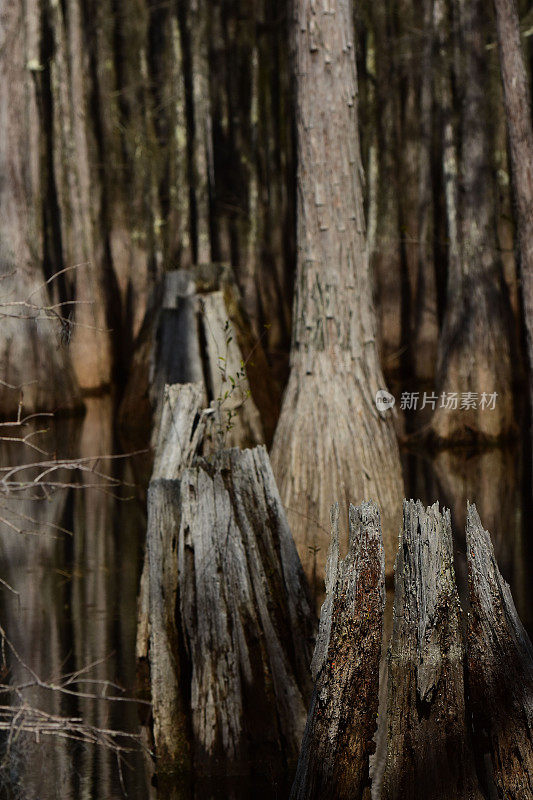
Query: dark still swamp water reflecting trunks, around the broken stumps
point(76, 566)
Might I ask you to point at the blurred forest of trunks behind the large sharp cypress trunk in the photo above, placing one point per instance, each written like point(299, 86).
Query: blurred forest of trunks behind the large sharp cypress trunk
point(143, 137)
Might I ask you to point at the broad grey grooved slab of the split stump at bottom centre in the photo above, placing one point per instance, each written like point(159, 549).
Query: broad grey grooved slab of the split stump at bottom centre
point(245, 615)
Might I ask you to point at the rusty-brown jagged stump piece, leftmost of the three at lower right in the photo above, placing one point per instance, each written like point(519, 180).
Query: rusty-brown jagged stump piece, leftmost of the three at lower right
point(334, 758)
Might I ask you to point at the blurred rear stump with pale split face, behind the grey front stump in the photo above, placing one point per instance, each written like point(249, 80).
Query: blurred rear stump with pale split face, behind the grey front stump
point(196, 331)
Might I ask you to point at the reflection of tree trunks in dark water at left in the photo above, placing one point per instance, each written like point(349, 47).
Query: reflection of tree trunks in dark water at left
point(75, 606)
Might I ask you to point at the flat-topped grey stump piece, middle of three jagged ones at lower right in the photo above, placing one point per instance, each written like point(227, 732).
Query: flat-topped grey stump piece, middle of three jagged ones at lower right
point(429, 756)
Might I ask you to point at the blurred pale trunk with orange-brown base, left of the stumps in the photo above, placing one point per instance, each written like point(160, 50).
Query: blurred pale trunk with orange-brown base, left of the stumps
point(78, 187)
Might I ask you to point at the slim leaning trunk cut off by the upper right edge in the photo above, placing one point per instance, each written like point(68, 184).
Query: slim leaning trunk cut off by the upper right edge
point(517, 99)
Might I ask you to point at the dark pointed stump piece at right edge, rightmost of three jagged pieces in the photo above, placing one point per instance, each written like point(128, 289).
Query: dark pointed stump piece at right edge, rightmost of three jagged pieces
point(500, 668)
